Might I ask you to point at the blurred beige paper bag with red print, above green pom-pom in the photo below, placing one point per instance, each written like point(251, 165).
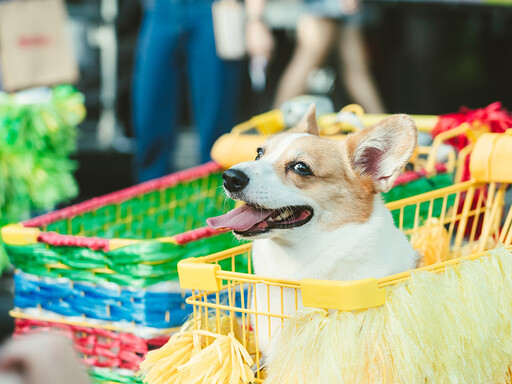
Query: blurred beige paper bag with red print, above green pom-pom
point(34, 48)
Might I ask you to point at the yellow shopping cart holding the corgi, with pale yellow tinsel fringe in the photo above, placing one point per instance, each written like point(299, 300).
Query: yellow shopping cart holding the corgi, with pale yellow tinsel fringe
point(450, 227)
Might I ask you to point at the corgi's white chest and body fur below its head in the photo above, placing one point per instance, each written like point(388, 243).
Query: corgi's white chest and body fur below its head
point(375, 248)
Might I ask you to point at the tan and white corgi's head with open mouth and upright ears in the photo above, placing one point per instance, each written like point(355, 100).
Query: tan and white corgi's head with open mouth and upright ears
point(299, 180)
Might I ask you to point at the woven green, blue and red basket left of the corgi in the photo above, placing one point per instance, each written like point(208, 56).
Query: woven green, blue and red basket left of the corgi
point(105, 271)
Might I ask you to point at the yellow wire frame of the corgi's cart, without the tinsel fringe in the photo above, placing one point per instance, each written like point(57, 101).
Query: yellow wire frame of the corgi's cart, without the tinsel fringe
point(462, 211)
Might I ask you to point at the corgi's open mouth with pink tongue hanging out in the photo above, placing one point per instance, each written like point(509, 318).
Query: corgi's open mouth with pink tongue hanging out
point(249, 220)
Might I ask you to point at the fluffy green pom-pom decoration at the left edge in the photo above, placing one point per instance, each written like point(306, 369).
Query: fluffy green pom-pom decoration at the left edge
point(36, 140)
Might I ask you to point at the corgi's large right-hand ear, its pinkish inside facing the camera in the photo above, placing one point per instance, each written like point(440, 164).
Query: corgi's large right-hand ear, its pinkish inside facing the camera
point(383, 150)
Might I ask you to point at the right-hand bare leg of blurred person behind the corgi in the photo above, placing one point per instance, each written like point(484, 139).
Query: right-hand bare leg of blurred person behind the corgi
point(356, 72)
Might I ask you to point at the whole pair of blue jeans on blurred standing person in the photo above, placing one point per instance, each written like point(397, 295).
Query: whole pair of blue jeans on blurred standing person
point(176, 42)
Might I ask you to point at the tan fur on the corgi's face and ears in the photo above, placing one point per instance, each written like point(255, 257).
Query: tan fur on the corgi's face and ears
point(337, 183)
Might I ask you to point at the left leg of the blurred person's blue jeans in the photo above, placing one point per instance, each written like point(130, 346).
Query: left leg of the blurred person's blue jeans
point(157, 91)
